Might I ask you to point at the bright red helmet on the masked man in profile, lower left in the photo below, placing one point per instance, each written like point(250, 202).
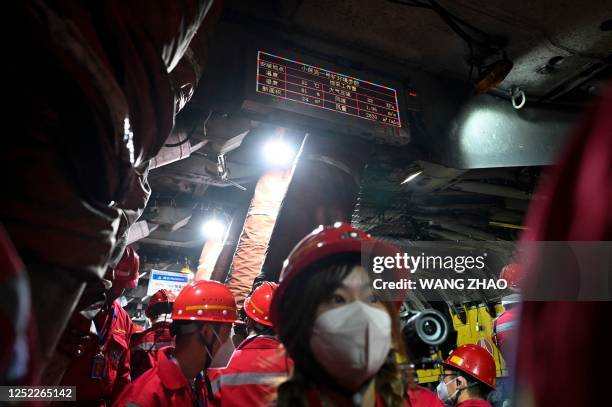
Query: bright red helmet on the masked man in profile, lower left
point(205, 300)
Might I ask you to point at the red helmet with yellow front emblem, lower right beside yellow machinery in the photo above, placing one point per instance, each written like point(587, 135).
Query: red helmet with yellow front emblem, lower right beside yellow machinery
point(475, 361)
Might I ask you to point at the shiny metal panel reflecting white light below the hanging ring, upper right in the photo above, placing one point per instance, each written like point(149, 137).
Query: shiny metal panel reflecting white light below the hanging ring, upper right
point(489, 132)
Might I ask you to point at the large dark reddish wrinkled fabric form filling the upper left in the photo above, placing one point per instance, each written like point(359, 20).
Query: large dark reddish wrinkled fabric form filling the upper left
point(113, 85)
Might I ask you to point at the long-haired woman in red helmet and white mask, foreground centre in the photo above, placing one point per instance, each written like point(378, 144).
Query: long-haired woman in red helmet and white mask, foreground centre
point(345, 342)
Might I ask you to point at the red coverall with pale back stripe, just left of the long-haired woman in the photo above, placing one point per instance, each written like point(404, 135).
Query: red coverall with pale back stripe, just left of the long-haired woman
point(257, 366)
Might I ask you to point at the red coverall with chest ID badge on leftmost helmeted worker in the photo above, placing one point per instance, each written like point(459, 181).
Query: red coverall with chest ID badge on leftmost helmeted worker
point(115, 329)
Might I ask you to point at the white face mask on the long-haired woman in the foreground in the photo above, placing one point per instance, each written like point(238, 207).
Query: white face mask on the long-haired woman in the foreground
point(351, 342)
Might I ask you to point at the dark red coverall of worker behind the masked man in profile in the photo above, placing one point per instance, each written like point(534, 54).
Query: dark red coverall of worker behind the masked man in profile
point(143, 349)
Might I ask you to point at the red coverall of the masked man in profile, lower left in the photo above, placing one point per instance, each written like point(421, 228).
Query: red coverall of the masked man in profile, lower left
point(163, 385)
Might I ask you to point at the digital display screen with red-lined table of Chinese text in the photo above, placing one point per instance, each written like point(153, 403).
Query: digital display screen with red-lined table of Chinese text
point(324, 89)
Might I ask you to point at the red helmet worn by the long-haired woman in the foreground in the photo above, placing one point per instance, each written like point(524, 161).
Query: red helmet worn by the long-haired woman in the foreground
point(321, 243)
